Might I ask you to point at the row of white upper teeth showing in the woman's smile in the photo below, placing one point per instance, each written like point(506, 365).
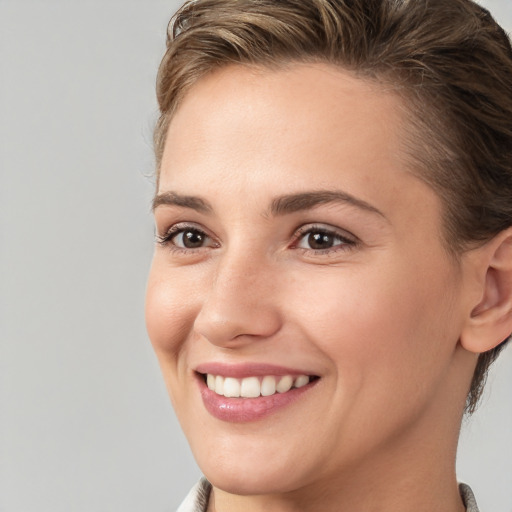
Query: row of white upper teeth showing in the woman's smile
point(252, 387)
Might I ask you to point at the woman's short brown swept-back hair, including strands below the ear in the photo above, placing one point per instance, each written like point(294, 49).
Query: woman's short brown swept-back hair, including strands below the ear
point(448, 59)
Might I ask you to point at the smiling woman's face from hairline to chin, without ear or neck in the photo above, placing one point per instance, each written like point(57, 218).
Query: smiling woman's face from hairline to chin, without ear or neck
point(295, 242)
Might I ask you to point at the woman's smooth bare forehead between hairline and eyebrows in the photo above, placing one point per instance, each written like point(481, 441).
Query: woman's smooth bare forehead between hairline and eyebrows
point(314, 125)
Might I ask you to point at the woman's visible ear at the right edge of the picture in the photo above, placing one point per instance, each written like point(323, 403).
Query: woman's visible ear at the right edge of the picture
point(490, 320)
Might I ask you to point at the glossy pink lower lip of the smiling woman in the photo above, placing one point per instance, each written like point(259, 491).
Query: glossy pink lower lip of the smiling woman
point(244, 410)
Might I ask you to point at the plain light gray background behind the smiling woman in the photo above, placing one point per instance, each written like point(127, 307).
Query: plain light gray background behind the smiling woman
point(85, 423)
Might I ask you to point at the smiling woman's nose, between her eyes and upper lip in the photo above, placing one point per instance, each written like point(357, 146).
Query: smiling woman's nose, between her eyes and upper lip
point(240, 305)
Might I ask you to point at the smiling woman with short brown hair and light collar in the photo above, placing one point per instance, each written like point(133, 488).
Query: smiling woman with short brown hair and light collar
point(333, 273)
